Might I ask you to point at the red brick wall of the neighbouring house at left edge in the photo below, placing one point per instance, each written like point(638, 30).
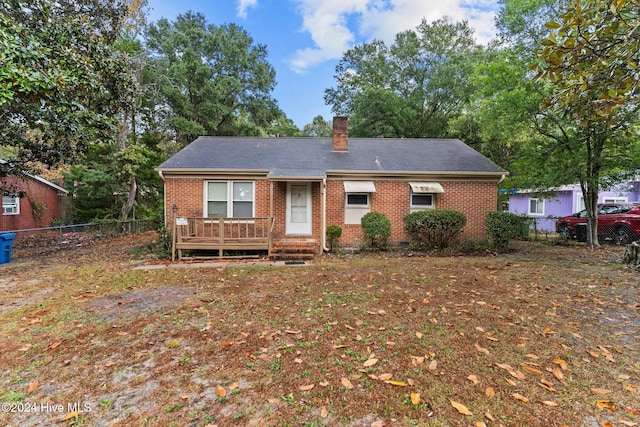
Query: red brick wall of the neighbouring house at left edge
point(35, 192)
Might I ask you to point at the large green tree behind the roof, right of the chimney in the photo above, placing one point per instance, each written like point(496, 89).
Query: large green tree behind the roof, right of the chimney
point(409, 89)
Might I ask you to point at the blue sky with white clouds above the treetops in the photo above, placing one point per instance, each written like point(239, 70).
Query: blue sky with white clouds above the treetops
point(307, 38)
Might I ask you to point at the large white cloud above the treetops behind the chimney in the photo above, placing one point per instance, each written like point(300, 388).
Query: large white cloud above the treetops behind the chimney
point(327, 22)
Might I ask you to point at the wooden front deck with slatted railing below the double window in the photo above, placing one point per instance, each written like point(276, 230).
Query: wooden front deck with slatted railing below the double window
point(221, 234)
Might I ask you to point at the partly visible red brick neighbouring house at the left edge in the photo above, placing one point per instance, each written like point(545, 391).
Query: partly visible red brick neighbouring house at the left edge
point(42, 202)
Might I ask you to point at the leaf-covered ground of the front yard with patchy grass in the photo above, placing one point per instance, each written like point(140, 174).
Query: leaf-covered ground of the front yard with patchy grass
point(548, 335)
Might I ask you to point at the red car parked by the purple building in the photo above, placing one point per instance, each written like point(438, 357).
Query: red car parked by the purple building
point(618, 222)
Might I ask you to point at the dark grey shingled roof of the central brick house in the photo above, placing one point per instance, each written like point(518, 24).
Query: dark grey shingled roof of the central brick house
point(314, 157)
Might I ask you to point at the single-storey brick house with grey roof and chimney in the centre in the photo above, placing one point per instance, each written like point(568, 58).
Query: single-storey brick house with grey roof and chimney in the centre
point(306, 184)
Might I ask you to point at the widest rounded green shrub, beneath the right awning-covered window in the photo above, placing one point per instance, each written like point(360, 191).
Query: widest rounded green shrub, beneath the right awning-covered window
point(434, 228)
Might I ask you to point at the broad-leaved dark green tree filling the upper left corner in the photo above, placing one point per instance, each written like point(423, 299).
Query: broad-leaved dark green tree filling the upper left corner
point(61, 80)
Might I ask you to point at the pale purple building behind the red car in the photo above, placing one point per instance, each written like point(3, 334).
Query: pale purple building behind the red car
point(545, 209)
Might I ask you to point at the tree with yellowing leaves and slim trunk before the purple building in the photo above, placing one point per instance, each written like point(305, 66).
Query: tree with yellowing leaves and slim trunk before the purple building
point(592, 58)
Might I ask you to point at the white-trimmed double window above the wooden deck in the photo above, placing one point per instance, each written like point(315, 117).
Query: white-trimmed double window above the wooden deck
point(230, 199)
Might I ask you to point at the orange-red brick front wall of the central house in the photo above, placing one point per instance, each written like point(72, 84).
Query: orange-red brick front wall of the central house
point(391, 198)
